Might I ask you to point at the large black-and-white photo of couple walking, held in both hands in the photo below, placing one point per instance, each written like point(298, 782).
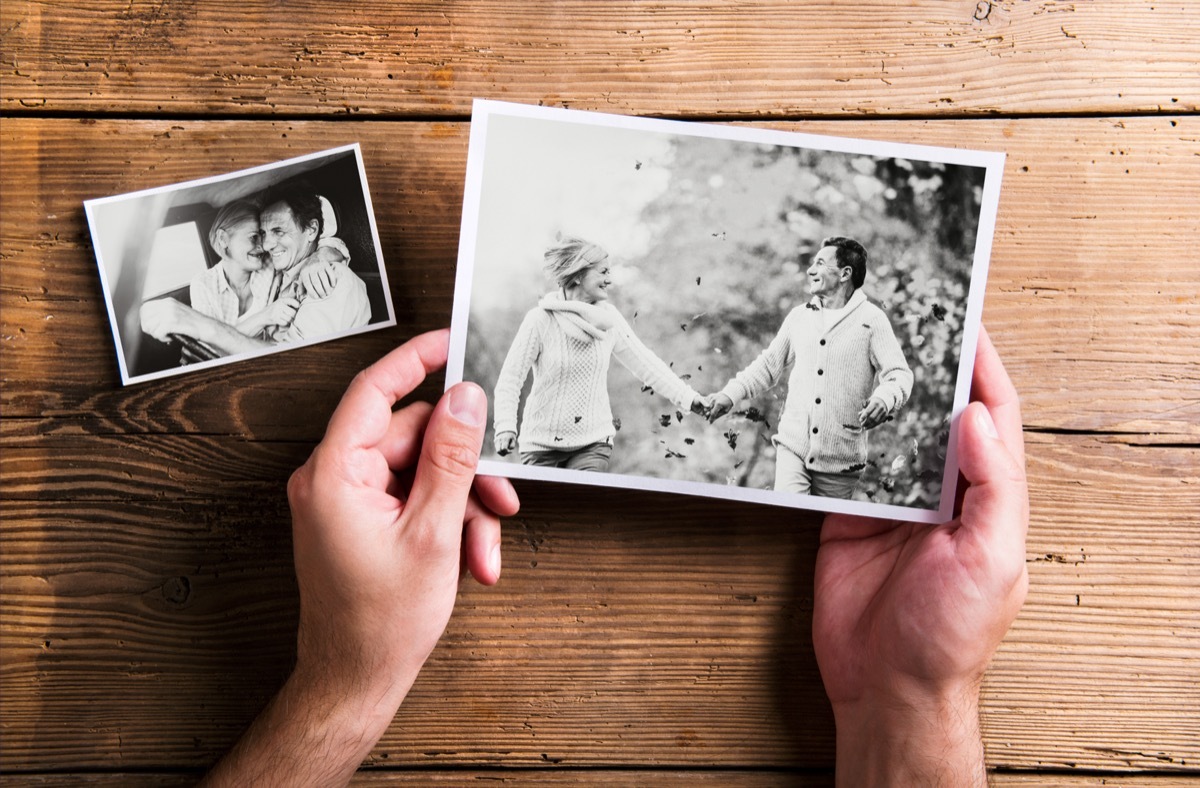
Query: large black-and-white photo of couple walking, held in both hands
point(724, 311)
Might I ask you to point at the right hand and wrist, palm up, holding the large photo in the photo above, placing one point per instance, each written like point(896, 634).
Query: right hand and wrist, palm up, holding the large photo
point(907, 617)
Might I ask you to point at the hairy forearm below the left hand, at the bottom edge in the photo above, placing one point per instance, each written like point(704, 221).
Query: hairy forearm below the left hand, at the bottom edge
point(313, 733)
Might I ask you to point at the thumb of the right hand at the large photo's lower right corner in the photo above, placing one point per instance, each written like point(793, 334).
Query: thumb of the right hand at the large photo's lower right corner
point(997, 503)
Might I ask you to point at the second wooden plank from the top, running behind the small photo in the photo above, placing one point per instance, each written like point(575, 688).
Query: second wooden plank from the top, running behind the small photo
point(1093, 297)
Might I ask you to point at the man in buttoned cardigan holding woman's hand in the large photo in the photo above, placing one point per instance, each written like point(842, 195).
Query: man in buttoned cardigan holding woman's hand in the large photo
point(849, 376)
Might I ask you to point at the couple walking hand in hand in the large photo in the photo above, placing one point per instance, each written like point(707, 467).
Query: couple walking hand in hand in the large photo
point(849, 374)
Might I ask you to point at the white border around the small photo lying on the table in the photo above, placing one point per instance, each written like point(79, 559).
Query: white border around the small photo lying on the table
point(106, 286)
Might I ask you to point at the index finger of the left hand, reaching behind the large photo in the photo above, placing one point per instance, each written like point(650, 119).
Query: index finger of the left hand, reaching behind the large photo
point(364, 416)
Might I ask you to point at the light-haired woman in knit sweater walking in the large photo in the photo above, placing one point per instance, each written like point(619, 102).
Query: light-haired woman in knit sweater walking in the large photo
point(568, 341)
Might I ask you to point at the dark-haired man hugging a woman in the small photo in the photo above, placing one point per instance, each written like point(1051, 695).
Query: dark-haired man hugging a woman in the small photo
point(311, 274)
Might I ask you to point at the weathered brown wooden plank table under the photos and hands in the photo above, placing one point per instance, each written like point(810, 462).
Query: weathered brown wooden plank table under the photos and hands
point(637, 639)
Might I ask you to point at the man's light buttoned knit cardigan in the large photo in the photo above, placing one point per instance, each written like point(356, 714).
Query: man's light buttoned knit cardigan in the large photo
point(833, 376)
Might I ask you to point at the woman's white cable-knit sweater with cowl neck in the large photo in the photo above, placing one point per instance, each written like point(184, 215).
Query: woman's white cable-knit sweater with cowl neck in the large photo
point(568, 406)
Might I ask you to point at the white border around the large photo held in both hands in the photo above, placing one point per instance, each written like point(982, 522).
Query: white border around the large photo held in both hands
point(992, 163)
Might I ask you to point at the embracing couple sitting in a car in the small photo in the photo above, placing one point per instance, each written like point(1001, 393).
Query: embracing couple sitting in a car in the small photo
point(284, 276)
